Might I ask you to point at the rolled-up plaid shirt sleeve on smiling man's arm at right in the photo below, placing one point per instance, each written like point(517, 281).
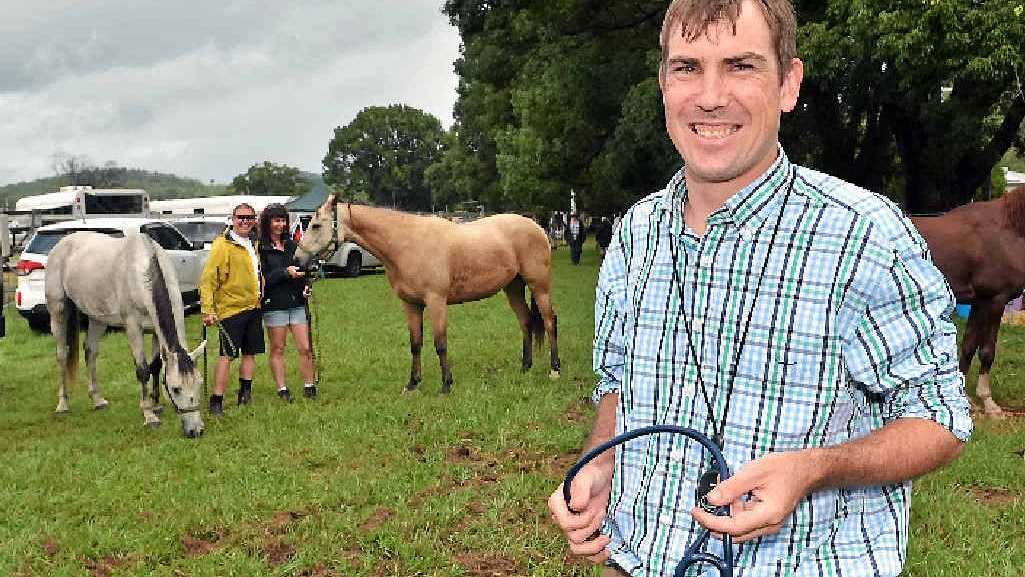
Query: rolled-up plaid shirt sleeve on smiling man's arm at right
point(905, 349)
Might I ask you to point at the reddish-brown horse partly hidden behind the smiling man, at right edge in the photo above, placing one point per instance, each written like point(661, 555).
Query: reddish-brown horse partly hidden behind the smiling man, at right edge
point(980, 249)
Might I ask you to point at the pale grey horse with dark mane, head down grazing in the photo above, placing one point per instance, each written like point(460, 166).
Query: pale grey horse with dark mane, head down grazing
point(124, 282)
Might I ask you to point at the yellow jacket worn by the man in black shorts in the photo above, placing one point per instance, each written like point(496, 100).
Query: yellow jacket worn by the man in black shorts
point(229, 284)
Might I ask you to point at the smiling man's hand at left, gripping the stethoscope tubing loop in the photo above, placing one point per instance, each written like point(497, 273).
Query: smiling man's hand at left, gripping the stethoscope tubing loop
point(591, 500)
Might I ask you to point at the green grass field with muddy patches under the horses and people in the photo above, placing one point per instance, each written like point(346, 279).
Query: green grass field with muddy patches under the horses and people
point(365, 481)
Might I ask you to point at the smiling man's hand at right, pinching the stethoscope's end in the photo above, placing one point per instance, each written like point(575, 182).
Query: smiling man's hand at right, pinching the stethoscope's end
point(776, 484)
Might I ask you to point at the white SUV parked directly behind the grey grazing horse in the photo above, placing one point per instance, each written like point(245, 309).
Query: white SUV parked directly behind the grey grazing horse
point(30, 299)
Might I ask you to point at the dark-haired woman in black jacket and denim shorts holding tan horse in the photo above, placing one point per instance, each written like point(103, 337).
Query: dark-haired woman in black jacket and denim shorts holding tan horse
point(285, 294)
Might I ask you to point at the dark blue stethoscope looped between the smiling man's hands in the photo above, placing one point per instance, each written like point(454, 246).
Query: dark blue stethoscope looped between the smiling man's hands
point(693, 555)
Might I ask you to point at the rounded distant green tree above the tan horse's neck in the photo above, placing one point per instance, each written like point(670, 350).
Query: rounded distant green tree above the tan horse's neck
point(384, 153)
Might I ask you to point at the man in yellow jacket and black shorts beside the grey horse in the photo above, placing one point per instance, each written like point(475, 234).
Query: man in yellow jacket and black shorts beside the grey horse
point(230, 296)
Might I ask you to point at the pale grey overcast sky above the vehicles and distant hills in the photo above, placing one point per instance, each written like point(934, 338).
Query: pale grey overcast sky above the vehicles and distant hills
point(207, 90)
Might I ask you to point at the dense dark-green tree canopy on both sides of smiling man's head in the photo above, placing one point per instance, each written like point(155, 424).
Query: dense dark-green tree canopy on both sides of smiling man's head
point(915, 99)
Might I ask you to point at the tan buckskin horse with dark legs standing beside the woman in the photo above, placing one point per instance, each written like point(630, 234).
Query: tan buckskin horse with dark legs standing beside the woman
point(432, 263)
